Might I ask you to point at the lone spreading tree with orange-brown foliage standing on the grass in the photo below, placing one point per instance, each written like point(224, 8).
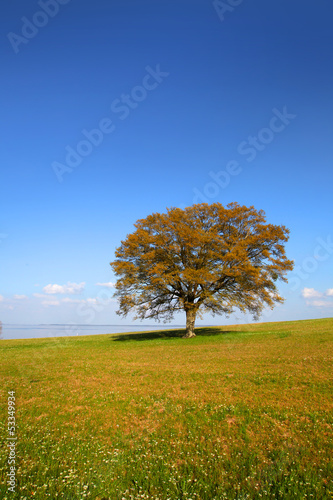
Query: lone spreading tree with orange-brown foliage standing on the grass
point(205, 258)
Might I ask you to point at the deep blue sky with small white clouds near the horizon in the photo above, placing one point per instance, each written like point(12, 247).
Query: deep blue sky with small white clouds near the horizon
point(112, 110)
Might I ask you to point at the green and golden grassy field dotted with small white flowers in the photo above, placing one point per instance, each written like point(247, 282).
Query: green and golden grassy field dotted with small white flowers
point(237, 412)
